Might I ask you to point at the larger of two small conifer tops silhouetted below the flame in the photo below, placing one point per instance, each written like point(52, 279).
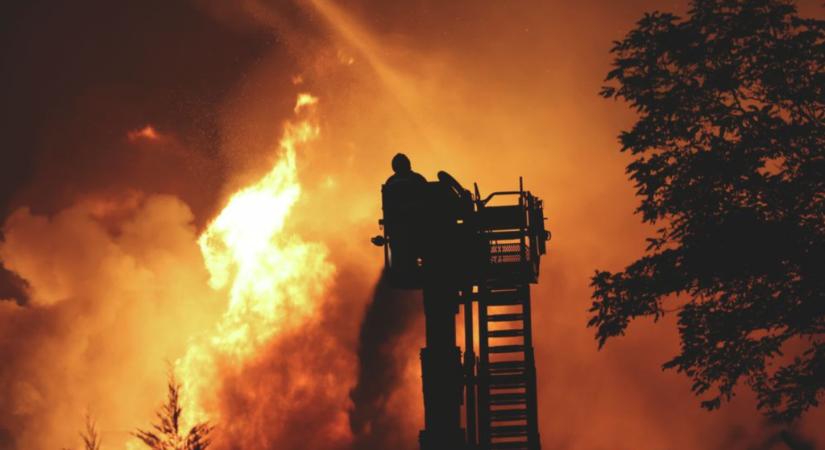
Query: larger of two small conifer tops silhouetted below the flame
point(166, 433)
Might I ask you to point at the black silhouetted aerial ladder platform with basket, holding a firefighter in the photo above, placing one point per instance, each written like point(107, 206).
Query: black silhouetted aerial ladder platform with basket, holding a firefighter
point(480, 255)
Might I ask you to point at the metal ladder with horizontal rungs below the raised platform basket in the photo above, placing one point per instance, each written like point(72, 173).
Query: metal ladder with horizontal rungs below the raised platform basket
point(507, 406)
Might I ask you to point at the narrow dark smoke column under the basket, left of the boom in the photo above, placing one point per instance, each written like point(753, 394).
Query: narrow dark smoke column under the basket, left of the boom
point(391, 314)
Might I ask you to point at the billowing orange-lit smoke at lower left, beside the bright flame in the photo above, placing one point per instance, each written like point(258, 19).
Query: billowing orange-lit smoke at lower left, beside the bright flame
point(105, 311)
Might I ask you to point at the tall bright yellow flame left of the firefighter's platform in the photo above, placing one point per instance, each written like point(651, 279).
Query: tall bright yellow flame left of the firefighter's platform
point(273, 278)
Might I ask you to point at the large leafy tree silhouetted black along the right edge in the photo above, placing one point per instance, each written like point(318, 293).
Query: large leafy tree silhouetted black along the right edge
point(729, 163)
